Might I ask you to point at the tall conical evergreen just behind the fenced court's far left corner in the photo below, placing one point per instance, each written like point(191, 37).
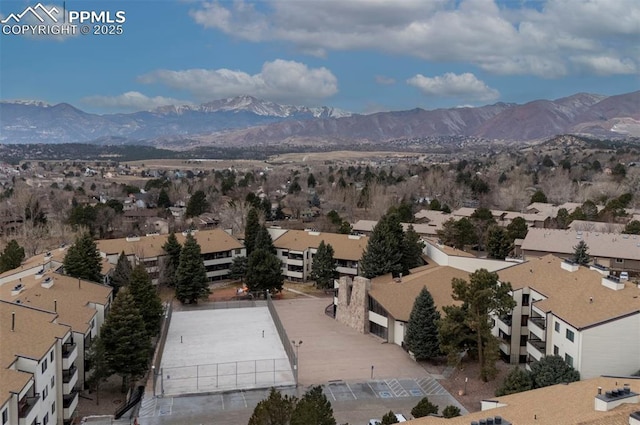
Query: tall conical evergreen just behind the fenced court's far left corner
point(191, 275)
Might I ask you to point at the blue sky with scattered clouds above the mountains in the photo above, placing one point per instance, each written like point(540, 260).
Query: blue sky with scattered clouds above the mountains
point(358, 55)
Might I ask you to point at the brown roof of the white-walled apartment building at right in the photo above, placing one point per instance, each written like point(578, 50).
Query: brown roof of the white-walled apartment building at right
point(569, 293)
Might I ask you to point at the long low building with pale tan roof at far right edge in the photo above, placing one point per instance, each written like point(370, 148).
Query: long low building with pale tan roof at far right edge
point(617, 252)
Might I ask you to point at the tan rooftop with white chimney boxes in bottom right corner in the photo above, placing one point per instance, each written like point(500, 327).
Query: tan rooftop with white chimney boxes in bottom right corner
point(598, 401)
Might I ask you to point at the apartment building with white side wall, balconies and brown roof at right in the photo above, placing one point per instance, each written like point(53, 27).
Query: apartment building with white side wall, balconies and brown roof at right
point(584, 315)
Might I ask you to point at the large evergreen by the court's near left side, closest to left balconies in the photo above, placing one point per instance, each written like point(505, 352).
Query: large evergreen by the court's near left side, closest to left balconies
point(126, 343)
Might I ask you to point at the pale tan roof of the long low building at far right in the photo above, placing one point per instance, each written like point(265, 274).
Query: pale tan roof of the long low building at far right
point(606, 245)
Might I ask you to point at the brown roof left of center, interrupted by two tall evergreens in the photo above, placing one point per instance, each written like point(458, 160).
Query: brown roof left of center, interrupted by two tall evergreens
point(214, 240)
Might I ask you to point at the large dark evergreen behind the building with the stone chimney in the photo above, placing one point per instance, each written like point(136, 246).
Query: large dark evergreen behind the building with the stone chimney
point(384, 251)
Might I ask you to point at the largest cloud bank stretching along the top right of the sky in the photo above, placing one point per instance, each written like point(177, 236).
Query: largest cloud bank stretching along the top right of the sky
point(537, 40)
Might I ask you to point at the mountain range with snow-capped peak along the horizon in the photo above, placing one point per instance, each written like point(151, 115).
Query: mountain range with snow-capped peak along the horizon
point(245, 120)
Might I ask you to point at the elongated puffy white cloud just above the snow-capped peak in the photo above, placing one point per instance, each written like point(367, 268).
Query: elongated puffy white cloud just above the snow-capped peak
point(279, 81)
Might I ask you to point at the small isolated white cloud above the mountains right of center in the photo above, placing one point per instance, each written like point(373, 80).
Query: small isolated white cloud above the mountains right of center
point(463, 86)
